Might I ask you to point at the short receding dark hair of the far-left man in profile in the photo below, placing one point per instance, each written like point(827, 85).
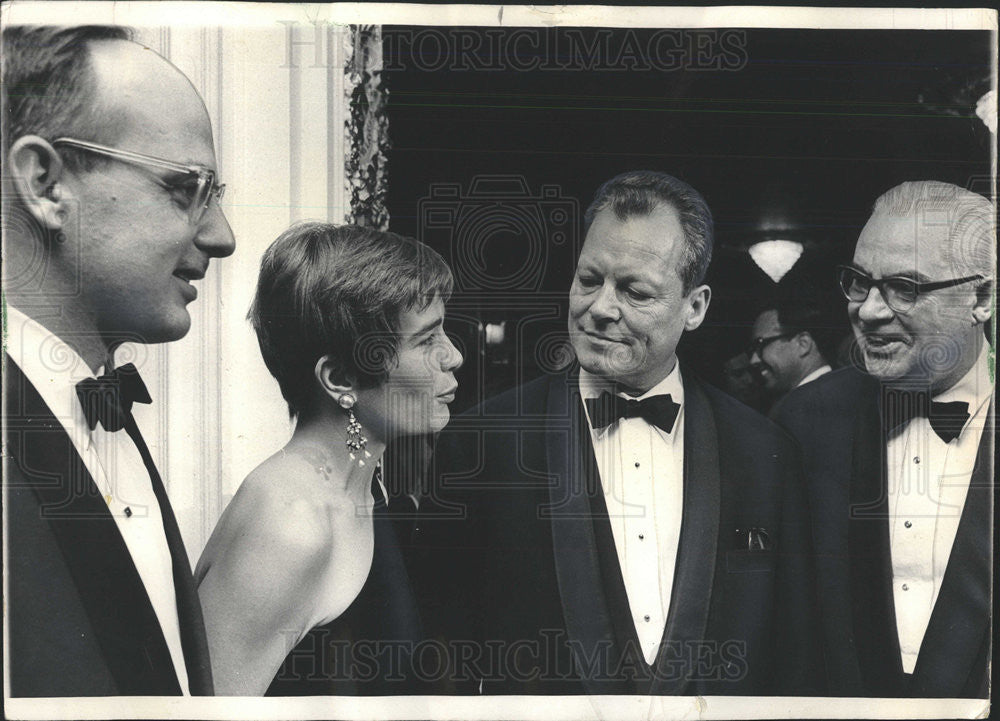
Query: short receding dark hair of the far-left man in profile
point(49, 87)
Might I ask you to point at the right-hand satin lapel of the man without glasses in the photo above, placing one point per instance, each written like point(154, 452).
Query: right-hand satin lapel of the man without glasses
point(696, 555)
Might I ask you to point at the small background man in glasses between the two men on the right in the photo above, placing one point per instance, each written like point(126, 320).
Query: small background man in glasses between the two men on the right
point(785, 350)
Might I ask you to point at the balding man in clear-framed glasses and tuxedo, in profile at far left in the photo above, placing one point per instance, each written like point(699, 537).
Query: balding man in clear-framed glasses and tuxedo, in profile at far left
point(111, 213)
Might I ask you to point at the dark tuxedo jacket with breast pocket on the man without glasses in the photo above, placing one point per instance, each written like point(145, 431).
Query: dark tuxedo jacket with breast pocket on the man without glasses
point(520, 578)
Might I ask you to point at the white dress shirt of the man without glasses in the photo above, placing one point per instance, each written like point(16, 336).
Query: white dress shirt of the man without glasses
point(642, 474)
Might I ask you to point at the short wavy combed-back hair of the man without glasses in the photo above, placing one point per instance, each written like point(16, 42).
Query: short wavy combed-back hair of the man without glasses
point(640, 192)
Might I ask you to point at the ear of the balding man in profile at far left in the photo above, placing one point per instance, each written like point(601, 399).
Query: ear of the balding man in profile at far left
point(36, 172)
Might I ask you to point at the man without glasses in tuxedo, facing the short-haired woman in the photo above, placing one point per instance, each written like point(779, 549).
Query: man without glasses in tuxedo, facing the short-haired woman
point(622, 528)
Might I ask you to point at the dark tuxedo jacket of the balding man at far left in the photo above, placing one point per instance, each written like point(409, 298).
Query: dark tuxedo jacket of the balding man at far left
point(80, 620)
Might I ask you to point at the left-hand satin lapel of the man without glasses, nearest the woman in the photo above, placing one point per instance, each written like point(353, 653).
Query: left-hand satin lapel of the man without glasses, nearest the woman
point(573, 467)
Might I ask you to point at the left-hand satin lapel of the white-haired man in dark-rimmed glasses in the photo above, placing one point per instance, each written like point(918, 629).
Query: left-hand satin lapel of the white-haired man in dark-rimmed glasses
point(873, 609)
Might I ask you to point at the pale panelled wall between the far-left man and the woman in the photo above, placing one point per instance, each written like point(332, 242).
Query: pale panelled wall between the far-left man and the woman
point(276, 98)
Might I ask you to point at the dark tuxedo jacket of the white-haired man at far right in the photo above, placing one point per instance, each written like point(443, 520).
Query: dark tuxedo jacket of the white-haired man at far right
point(837, 421)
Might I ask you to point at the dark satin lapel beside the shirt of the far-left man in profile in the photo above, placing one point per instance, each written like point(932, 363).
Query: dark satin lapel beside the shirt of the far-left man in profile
point(107, 581)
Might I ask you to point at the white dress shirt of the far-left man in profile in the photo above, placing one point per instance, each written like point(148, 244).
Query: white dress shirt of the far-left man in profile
point(114, 463)
